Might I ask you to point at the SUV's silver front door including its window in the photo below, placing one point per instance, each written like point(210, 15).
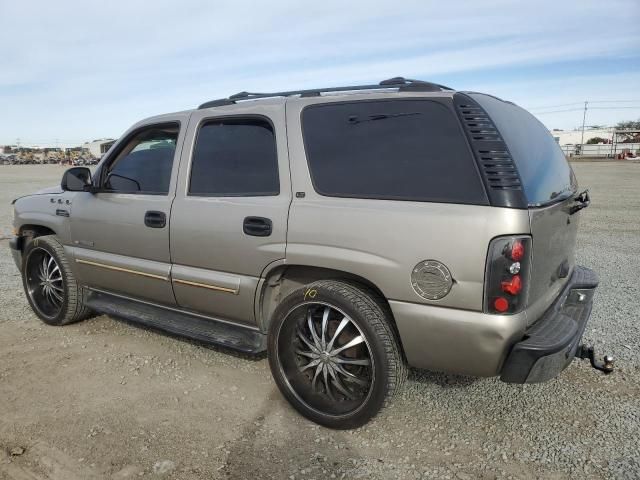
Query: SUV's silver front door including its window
point(120, 234)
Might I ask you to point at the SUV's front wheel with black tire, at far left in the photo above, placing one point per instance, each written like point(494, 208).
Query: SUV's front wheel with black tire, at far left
point(71, 307)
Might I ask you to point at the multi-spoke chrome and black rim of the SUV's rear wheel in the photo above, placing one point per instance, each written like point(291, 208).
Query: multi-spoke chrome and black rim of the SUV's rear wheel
point(325, 359)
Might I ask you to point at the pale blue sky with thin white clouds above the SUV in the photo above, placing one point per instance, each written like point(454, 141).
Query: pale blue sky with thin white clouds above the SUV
point(73, 71)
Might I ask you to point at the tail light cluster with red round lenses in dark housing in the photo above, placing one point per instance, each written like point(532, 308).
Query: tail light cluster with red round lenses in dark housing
point(507, 274)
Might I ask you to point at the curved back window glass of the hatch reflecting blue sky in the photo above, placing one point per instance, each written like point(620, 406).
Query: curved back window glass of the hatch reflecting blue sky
point(545, 173)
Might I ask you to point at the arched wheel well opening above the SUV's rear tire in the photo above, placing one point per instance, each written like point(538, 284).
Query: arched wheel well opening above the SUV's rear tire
point(284, 279)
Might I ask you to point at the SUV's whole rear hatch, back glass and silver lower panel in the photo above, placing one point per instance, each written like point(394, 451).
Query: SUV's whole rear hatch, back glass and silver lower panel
point(550, 187)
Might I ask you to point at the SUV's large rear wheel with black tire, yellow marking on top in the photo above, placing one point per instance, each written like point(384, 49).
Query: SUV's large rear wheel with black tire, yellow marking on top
point(370, 318)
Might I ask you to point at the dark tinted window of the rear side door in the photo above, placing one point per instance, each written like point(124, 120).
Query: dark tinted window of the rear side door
point(235, 158)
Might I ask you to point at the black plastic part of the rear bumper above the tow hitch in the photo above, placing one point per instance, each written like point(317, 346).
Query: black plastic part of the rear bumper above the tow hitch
point(550, 344)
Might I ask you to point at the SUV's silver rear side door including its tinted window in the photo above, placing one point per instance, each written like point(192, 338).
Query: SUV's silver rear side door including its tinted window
point(229, 218)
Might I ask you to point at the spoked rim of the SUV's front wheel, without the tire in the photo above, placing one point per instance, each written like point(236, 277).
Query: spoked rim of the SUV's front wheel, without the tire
point(45, 285)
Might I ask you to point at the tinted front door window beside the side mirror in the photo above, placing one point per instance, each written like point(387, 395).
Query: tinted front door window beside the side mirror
point(144, 164)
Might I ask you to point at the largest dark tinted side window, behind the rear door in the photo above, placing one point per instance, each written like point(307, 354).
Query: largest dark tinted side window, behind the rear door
point(399, 149)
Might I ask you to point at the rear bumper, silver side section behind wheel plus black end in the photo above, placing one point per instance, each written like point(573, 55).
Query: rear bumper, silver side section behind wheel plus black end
point(480, 344)
